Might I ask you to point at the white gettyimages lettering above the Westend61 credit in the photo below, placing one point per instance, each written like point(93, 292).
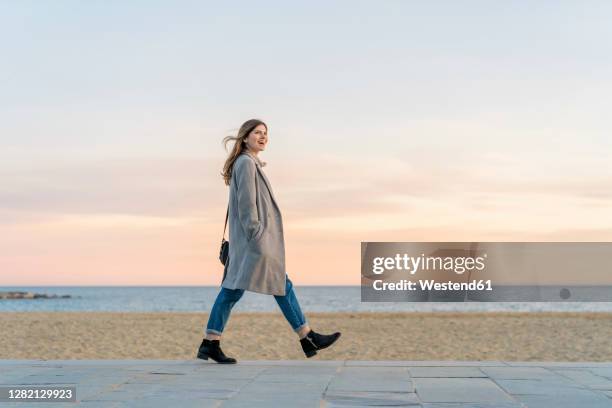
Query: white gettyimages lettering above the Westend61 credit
point(412, 264)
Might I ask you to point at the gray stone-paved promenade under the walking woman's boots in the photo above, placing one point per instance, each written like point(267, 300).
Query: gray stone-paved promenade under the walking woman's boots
point(312, 383)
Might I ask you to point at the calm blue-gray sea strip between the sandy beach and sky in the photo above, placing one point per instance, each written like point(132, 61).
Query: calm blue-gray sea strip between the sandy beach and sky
point(201, 299)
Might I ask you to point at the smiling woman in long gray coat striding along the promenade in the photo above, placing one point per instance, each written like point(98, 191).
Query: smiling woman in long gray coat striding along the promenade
point(257, 252)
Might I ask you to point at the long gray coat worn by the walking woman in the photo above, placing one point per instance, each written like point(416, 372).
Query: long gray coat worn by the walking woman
point(257, 245)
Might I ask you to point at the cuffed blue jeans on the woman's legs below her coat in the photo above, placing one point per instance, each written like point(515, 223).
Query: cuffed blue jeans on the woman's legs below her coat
point(227, 298)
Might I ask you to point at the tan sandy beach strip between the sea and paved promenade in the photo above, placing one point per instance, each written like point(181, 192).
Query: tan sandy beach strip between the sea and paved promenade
point(365, 336)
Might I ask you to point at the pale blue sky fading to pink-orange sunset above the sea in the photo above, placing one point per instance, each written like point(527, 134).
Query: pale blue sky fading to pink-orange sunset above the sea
point(388, 121)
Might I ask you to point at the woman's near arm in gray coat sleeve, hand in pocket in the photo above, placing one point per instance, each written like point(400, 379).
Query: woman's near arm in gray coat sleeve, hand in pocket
point(246, 189)
